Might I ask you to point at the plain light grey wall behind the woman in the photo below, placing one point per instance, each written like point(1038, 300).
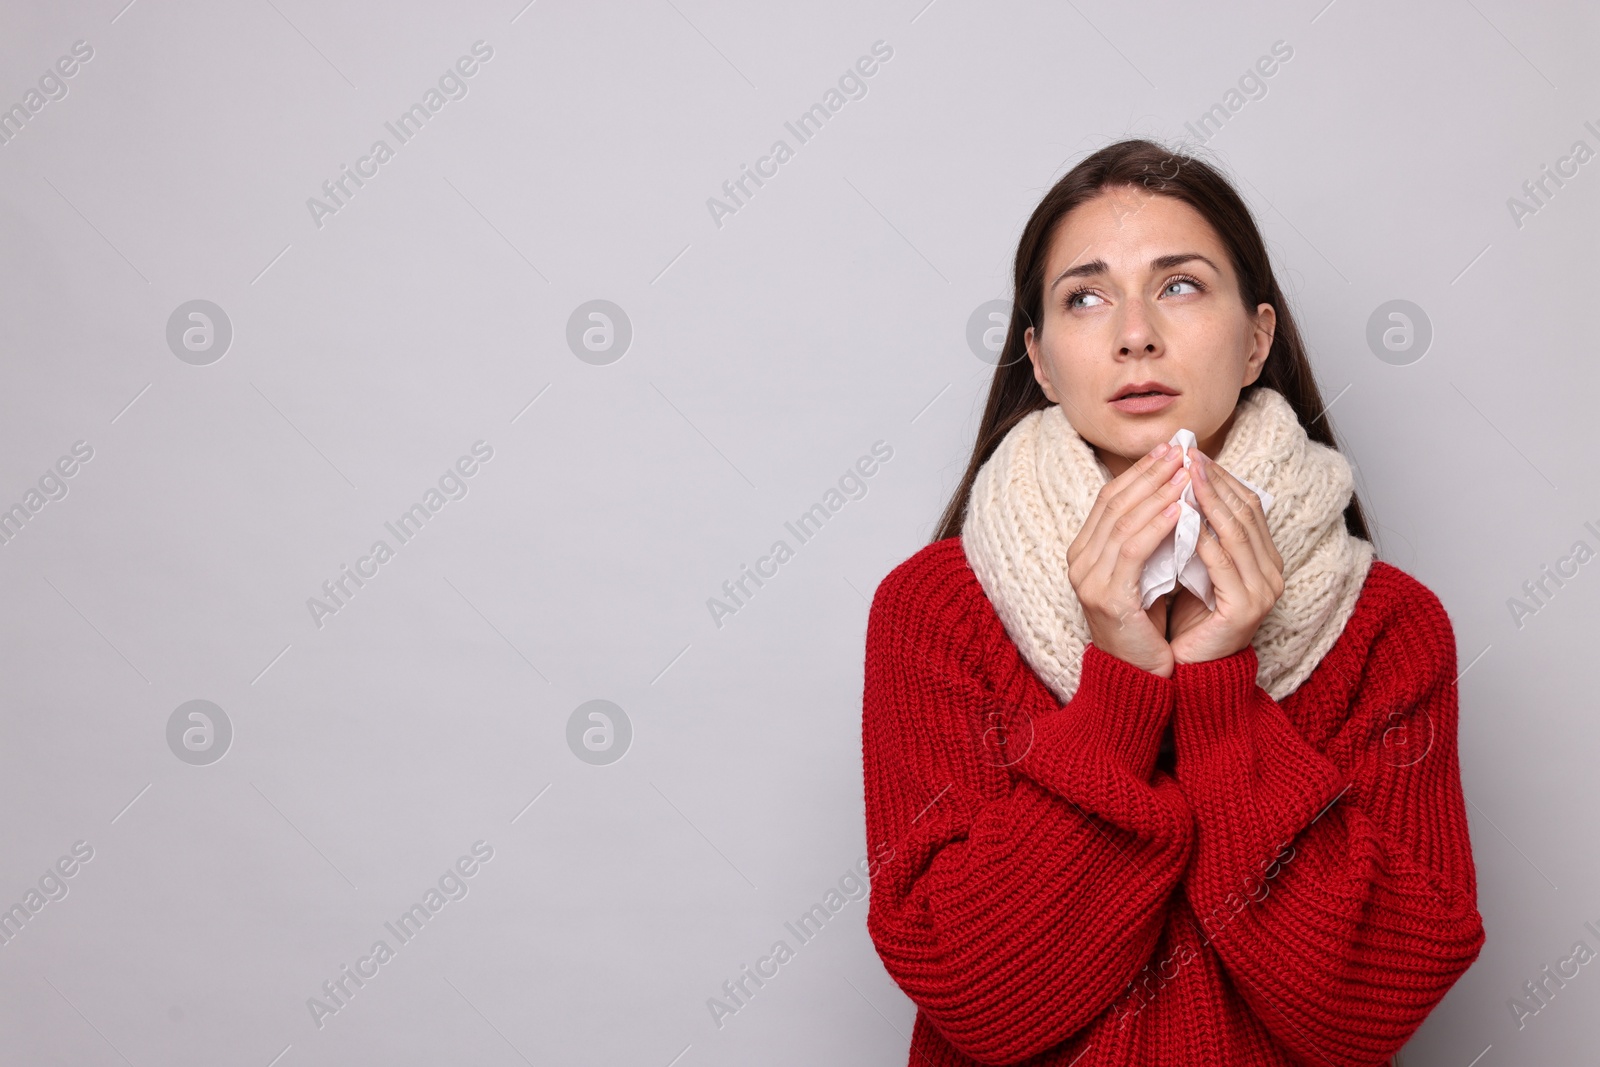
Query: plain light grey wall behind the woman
point(767, 356)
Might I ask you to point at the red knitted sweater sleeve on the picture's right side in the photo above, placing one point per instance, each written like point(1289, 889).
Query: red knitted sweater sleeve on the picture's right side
point(1335, 885)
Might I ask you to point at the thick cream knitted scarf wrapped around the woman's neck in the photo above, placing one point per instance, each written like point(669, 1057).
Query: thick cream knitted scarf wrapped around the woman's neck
point(1034, 494)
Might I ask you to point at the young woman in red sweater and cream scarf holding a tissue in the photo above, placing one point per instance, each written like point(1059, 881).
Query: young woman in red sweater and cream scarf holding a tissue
point(1209, 823)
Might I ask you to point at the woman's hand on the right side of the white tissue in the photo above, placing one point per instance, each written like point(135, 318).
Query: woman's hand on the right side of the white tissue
point(1247, 572)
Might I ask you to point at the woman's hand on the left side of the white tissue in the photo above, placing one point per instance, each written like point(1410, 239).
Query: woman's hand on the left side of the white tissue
point(1130, 518)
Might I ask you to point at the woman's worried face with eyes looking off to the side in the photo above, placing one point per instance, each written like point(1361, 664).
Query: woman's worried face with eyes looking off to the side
point(1142, 298)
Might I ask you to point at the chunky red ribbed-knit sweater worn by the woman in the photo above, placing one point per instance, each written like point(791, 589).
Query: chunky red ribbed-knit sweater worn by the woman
point(1297, 887)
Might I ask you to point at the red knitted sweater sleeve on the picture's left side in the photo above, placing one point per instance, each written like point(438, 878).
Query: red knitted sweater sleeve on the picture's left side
point(1017, 895)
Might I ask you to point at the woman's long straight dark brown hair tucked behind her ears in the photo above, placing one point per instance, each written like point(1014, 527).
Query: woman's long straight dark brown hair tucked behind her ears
point(1015, 393)
